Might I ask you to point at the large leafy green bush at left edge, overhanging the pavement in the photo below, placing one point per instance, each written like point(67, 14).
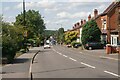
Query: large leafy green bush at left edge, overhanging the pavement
point(12, 38)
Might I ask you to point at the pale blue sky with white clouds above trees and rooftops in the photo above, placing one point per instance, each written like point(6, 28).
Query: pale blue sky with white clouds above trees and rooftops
point(56, 13)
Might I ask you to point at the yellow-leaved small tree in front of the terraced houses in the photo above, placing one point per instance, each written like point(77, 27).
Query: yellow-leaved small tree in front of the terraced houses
point(70, 36)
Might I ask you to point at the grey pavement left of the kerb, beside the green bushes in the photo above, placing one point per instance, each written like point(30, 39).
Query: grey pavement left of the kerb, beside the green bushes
point(20, 67)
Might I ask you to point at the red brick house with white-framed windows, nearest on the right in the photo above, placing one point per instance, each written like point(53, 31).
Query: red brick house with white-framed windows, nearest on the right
point(108, 24)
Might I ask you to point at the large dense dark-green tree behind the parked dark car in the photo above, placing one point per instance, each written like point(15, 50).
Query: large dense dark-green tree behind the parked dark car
point(90, 32)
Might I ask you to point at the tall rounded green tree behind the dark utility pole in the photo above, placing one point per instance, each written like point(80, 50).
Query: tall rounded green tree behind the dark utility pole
point(33, 22)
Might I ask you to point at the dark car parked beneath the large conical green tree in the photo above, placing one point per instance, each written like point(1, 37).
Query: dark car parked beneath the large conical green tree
point(94, 45)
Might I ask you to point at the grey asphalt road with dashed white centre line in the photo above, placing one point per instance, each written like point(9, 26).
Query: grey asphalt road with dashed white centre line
point(63, 62)
